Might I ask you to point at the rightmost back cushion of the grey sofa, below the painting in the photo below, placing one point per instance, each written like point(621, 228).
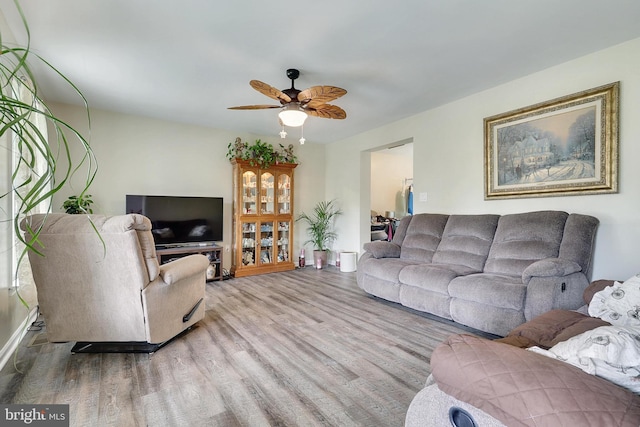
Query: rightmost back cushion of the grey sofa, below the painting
point(522, 239)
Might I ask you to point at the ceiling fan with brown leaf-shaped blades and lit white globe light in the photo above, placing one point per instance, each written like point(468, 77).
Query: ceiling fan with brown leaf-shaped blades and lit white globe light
point(297, 104)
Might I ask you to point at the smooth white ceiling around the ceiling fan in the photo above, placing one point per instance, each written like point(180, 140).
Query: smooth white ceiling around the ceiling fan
point(189, 60)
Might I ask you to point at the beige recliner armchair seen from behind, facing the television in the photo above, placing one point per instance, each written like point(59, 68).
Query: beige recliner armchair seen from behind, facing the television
point(105, 289)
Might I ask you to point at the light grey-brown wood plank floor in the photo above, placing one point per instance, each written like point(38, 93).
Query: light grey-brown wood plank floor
point(300, 348)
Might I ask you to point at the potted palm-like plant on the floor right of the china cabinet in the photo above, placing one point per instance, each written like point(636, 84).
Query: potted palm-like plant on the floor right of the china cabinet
point(320, 228)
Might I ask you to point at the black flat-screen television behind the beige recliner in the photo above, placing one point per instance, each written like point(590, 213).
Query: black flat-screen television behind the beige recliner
point(180, 220)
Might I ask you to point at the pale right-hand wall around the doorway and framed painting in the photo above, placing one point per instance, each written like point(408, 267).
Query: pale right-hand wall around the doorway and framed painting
point(448, 157)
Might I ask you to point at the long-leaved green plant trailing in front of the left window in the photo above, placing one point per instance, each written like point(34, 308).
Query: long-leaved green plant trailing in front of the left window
point(44, 164)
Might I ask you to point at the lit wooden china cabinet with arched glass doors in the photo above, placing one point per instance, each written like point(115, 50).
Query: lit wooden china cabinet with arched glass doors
point(262, 218)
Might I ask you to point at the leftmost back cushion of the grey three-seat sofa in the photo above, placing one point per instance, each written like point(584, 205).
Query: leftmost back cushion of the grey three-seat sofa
point(423, 237)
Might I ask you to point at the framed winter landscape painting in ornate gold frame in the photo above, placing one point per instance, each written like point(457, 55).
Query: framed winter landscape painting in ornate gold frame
point(561, 147)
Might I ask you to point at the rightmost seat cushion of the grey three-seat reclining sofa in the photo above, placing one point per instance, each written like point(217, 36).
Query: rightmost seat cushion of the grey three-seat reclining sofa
point(490, 289)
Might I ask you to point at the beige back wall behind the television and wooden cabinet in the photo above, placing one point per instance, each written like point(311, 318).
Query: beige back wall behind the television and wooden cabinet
point(139, 155)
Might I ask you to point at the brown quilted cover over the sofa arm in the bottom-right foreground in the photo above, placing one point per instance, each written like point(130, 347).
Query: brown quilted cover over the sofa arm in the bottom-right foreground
point(522, 388)
